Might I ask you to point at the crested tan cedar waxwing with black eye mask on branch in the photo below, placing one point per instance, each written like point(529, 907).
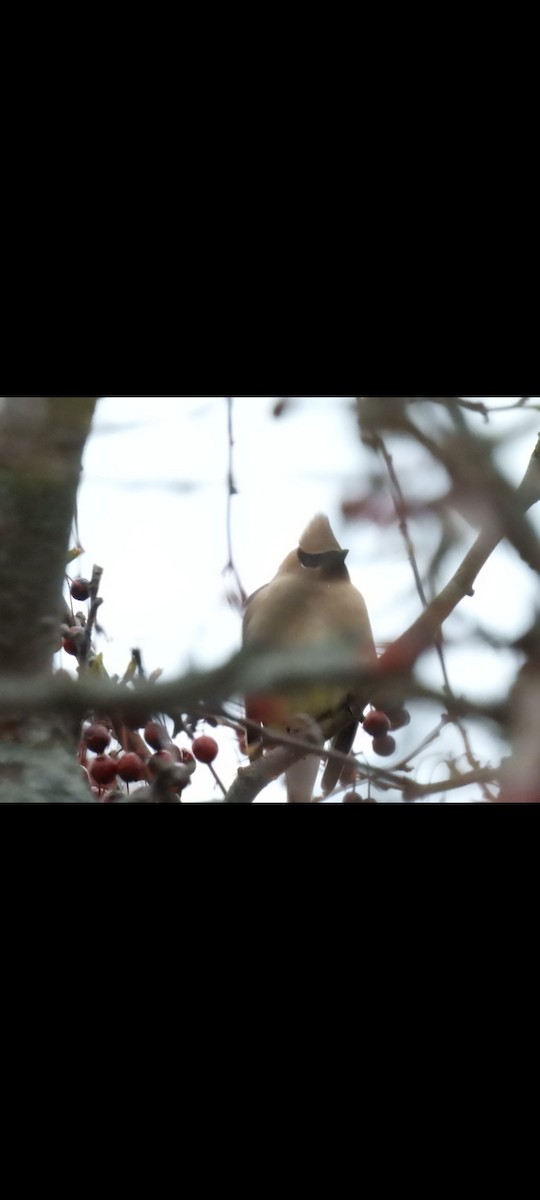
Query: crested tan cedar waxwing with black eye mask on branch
point(310, 602)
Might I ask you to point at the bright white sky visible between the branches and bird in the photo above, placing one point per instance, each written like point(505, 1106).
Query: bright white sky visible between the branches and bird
point(152, 512)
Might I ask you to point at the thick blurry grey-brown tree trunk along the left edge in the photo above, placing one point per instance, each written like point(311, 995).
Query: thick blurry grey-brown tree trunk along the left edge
point(41, 447)
